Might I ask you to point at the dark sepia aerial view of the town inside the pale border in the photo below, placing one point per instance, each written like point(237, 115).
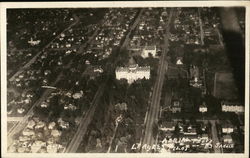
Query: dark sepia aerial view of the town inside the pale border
point(124, 80)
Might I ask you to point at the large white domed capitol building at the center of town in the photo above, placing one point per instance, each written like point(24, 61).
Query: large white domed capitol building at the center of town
point(132, 72)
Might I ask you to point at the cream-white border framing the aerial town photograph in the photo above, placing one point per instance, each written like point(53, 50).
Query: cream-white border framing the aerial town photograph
point(117, 4)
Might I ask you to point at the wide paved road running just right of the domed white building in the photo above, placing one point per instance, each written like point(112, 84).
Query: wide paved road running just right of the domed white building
point(152, 117)
